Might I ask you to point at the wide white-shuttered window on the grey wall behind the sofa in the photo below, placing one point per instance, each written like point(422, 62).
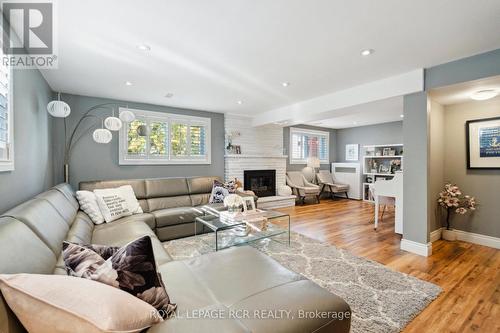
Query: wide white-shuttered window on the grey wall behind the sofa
point(162, 138)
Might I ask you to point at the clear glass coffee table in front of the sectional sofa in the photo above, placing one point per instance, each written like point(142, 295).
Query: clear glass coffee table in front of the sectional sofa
point(229, 233)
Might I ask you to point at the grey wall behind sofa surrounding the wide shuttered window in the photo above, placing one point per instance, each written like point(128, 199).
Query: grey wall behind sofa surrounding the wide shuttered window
point(92, 161)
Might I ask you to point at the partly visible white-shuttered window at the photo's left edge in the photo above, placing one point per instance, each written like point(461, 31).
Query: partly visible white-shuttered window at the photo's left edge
point(6, 120)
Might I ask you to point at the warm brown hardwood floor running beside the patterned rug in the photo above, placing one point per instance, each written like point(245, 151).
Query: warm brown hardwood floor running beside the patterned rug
point(469, 274)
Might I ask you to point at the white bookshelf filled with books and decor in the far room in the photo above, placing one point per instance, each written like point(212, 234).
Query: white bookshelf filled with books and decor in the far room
point(380, 162)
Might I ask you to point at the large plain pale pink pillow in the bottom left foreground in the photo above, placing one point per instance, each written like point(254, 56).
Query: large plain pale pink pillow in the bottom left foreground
point(60, 303)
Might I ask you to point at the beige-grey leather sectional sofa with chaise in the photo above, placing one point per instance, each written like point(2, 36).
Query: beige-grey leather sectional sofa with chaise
point(237, 281)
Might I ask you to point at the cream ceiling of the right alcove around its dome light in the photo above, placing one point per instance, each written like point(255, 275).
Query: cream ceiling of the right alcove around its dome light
point(460, 93)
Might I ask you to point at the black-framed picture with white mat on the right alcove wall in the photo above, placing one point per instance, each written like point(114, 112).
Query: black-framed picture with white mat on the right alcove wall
point(483, 143)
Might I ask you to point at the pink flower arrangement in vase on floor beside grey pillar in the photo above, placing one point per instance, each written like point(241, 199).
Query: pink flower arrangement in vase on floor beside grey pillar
point(452, 199)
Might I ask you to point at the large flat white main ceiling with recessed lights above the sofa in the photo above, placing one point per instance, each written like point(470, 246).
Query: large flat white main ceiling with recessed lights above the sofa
point(210, 54)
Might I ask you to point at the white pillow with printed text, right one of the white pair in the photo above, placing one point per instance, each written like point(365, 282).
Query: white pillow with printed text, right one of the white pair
point(112, 204)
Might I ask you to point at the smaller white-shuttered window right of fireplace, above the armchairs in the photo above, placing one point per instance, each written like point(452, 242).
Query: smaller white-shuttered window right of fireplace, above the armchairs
point(308, 143)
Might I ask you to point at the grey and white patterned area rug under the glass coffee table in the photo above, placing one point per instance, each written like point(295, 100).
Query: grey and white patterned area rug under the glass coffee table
point(381, 300)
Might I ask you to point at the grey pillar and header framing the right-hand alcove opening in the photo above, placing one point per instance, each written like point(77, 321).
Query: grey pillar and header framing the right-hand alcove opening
point(417, 190)
